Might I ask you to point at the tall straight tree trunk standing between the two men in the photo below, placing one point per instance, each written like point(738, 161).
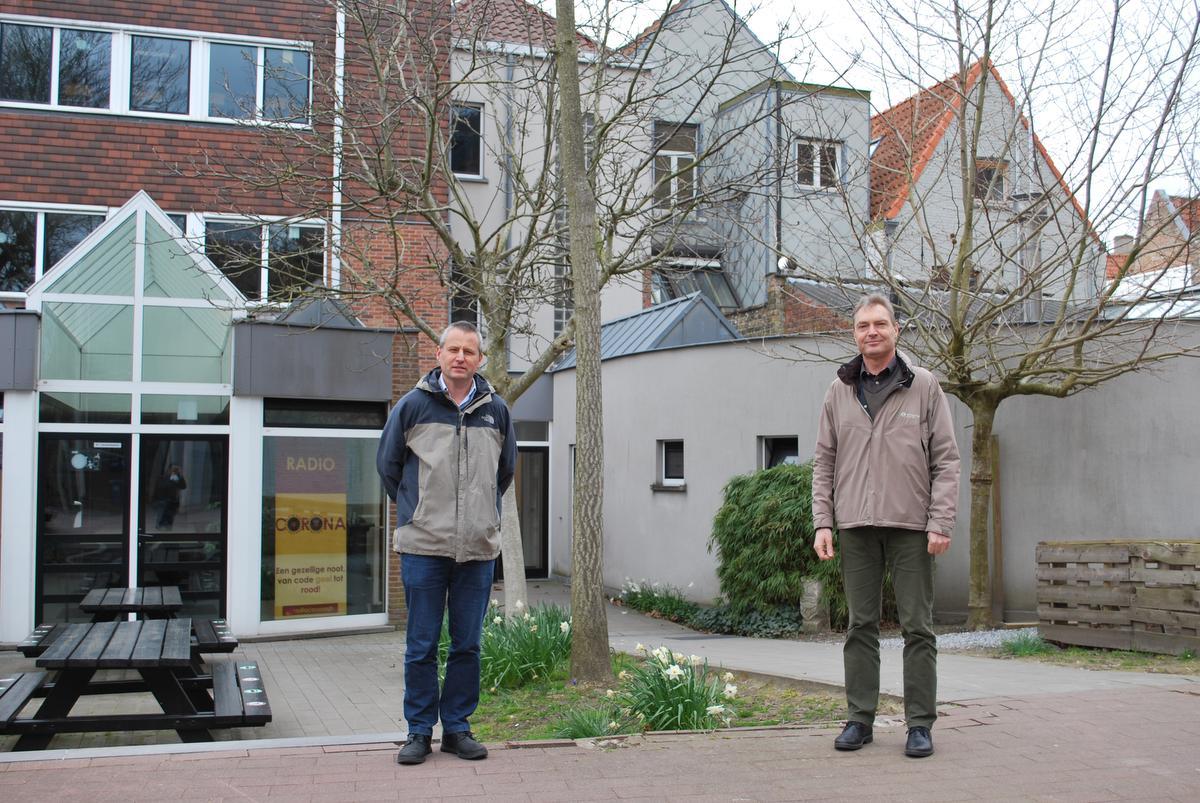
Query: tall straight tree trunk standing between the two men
point(590, 626)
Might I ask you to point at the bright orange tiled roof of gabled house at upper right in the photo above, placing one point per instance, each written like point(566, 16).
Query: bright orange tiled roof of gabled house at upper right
point(910, 133)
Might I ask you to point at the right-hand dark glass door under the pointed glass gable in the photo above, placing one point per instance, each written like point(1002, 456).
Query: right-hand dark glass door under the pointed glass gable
point(183, 482)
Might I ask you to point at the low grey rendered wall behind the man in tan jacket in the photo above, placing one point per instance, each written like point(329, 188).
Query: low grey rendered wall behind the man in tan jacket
point(1113, 463)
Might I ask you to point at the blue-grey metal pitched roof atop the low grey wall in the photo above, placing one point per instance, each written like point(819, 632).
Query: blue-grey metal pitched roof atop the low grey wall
point(687, 321)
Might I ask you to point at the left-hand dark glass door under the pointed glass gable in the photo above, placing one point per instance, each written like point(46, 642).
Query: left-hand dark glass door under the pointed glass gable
point(83, 502)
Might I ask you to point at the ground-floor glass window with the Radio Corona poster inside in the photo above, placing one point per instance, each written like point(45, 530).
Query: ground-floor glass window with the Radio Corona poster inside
point(323, 529)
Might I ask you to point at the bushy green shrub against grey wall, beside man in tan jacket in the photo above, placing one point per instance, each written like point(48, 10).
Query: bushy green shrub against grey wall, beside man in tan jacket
point(763, 537)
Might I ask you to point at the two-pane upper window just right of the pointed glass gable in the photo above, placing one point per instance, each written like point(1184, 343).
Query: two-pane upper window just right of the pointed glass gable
point(292, 257)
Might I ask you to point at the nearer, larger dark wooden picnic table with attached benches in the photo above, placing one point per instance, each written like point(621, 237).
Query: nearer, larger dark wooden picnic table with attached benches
point(160, 651)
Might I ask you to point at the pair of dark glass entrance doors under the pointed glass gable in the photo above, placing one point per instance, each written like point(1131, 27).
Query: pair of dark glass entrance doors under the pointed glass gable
point(88, 538)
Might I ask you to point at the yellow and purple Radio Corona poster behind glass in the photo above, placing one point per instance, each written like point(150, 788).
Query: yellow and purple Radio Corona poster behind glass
point(310, 537)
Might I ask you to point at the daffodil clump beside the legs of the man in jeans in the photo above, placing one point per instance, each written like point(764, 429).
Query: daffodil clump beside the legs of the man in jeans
point(519, 649)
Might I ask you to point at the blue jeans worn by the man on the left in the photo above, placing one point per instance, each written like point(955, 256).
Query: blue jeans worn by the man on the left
point(431, 586)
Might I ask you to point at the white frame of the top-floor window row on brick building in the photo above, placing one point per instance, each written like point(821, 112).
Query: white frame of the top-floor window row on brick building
point(121, 67)
